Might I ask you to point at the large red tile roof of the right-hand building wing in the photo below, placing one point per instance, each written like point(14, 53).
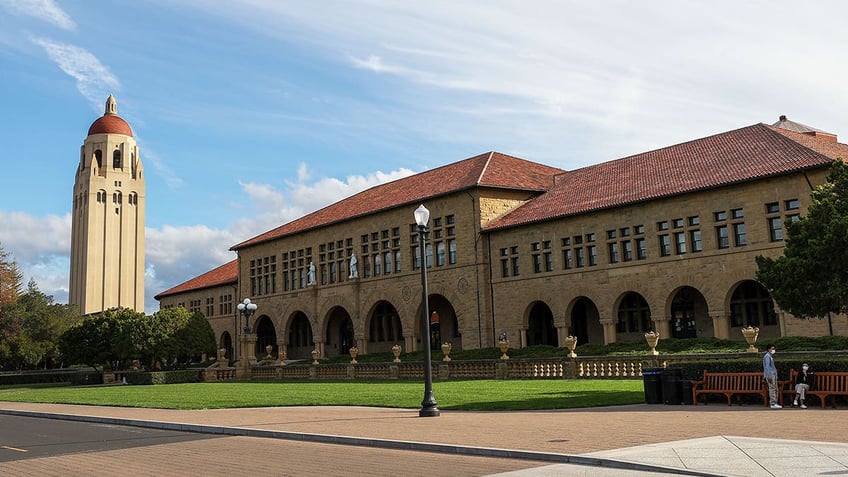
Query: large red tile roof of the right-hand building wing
point(742, 155)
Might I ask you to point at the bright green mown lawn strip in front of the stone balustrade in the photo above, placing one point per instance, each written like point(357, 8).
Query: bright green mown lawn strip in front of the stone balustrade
point(476, 395)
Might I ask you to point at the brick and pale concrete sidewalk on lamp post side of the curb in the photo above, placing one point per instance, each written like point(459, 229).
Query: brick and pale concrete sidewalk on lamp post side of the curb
point(616, 441)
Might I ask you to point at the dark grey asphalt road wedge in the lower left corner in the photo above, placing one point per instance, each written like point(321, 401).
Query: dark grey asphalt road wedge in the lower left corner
point(30, 437)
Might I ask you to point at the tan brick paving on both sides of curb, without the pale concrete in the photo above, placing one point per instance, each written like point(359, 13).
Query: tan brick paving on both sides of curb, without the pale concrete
point(565, 431)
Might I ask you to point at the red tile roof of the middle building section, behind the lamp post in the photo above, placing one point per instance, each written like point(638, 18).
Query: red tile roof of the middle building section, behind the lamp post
point(491, 169)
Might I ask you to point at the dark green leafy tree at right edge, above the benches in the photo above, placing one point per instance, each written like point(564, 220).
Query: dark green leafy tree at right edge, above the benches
point(810, 279)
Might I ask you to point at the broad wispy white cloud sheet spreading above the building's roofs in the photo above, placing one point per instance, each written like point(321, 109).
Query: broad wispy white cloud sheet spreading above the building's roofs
point(569, 83)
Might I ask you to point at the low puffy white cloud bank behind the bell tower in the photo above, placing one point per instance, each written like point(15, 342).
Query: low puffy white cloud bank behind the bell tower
point(174, 254)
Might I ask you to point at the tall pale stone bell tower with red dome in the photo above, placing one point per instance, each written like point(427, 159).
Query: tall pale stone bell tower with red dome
point(107, 232)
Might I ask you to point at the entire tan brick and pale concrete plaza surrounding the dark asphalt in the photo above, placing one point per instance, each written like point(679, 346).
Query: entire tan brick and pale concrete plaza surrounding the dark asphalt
point(631, 440)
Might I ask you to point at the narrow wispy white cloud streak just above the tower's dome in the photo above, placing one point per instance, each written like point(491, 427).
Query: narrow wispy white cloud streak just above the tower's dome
point(94, 80)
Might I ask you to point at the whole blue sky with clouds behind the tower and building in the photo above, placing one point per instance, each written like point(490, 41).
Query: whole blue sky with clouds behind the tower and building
point(251, 113)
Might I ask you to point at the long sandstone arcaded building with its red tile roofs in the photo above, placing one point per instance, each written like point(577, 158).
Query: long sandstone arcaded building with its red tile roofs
point(663, 240)
